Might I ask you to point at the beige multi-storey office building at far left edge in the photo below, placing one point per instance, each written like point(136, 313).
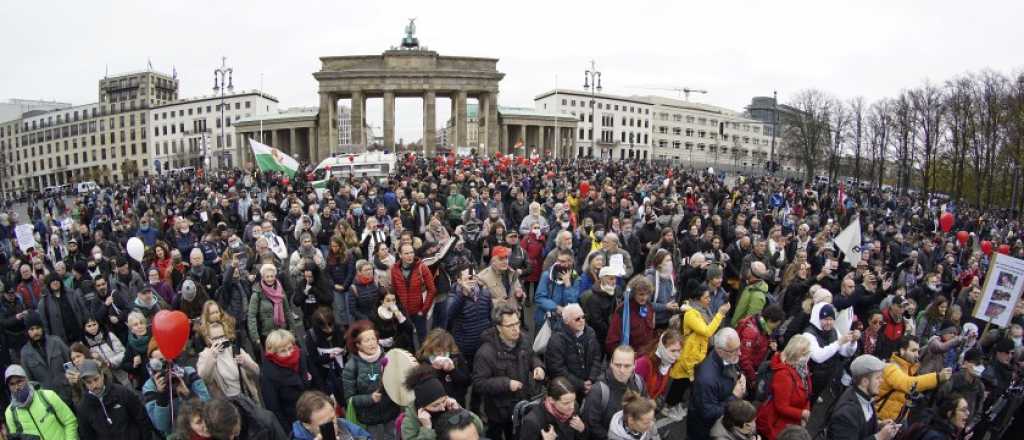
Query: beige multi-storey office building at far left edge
point(107, 142)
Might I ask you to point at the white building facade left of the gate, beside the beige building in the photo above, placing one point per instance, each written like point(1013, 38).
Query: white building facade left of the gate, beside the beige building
point(188, 133)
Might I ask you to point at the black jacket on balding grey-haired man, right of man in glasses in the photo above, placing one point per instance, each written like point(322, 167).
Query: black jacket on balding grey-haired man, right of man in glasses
point(579, 360)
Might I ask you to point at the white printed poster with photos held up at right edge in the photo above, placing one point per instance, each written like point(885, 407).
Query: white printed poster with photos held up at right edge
point(1002, 291)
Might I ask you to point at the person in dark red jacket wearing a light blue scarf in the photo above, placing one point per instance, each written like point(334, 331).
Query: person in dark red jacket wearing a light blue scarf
point(642, 319)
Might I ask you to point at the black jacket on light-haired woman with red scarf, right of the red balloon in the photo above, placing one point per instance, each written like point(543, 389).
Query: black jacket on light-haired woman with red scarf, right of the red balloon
point(281, 389)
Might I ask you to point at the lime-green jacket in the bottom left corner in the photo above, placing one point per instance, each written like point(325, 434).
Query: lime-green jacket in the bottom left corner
point(48, 418)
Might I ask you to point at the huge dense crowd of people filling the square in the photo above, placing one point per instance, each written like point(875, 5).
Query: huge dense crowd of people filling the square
point(541, 299)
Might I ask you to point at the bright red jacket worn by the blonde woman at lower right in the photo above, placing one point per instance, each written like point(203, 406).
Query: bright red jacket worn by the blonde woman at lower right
point(790, 399)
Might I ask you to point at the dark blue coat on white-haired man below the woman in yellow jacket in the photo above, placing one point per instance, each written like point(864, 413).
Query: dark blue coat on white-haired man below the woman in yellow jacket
point(712, 391)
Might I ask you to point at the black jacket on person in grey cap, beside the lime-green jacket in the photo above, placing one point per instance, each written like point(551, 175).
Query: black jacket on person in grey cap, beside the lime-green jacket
point(120, 416)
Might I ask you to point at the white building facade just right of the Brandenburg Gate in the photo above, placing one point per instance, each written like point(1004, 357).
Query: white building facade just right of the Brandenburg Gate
point(610, 127)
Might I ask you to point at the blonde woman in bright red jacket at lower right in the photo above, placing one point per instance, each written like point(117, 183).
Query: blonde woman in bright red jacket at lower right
point(791, 387)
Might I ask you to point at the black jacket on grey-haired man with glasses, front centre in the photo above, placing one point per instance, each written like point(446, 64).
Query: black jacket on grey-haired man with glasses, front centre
point(495, 366)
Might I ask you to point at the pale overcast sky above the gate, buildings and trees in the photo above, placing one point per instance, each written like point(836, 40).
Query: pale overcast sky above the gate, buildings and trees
point(735, 50)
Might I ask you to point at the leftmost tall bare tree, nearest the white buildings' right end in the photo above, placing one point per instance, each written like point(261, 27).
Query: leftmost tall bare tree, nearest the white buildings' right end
point(806, 130)
